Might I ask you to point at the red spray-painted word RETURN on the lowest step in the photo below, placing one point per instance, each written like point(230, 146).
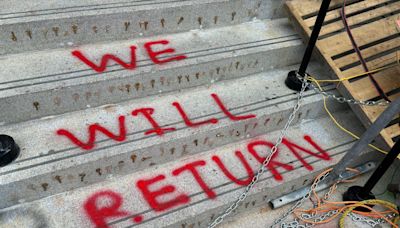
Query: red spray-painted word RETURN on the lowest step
point(162, 196)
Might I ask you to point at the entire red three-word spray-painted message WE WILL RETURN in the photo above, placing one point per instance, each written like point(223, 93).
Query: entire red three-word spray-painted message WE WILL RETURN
point(100, 214)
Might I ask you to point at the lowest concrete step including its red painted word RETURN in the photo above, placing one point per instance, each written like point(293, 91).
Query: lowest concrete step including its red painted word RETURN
point(191, 191)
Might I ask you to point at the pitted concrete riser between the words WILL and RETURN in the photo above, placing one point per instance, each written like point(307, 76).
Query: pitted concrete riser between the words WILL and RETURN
point(47, 179)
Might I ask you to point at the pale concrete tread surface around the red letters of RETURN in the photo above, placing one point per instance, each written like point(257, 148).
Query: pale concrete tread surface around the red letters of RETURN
point(200, 208)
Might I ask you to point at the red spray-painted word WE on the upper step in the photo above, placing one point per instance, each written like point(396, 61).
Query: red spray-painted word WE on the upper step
point(154, 56)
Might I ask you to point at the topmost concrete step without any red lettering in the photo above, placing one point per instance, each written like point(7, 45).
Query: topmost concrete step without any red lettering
point(27, 25)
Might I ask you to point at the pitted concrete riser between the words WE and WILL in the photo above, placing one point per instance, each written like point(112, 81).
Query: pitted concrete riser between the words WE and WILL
point(195, 72)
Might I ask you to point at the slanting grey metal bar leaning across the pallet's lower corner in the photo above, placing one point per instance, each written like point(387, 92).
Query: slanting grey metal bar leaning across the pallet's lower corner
point(371, 133)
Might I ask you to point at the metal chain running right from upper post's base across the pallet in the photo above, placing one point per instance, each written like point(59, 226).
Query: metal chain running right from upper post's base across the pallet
point(343, 99)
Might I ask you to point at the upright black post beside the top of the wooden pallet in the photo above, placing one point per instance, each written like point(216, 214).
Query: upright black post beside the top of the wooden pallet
point(314, 36)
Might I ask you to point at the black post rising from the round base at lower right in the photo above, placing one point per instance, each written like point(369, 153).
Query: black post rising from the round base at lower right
point(382, 168)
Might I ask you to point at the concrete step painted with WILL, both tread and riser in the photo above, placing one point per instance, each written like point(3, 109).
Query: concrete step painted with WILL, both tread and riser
point(72, 150)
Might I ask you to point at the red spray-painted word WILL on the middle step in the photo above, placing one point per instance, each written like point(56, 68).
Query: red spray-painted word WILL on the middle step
point(147, 113)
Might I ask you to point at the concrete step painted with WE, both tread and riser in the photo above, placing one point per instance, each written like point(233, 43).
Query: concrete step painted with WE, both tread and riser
point(53, 82)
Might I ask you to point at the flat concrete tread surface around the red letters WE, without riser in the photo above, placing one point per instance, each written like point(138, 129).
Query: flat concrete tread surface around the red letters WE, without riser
point(52, 67)
